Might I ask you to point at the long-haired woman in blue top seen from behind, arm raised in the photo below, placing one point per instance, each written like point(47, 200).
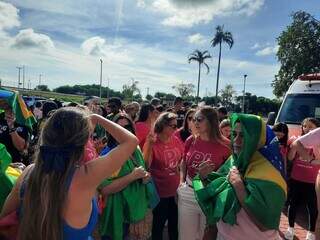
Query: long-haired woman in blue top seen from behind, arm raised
point(58, 192)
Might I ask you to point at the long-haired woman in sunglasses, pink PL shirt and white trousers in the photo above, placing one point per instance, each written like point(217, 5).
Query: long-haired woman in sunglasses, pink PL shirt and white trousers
point(203, 154)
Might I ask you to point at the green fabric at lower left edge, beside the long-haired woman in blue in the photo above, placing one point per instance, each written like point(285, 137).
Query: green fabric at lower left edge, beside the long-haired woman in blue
point(6, 182)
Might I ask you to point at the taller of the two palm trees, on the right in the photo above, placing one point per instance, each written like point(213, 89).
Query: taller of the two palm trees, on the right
point(219, 38)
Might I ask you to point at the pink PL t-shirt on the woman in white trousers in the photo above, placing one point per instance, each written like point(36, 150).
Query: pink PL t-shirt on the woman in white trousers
point(198, 151)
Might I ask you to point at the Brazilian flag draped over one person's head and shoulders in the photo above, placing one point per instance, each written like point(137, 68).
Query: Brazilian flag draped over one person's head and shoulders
point(261, 165)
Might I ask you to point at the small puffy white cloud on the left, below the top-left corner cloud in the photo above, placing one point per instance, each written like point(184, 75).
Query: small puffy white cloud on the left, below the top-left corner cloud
point(27, 38)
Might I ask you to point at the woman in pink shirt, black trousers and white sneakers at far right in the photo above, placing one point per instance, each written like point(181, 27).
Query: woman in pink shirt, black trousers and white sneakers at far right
point(302, 184)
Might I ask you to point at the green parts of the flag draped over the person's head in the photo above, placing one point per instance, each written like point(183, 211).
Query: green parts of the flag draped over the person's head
point(218, 199)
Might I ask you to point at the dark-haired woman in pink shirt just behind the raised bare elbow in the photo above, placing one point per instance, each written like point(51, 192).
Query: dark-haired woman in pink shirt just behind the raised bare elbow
point(148, 114)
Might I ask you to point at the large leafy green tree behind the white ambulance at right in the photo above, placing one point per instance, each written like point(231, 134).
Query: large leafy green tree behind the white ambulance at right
point(299, 51)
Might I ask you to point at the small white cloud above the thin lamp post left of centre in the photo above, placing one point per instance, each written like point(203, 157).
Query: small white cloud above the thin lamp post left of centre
point(97, 46)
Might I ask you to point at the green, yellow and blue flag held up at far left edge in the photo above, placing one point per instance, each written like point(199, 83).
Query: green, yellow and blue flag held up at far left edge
point(23, 115)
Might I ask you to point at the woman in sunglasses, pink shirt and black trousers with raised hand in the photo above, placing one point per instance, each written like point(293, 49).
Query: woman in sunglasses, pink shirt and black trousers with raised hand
point(163, 153)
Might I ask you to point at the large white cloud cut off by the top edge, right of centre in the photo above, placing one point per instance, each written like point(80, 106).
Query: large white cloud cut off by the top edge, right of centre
point(186, 13)
